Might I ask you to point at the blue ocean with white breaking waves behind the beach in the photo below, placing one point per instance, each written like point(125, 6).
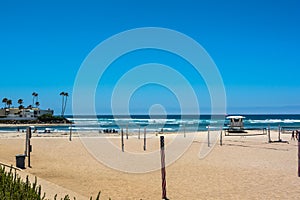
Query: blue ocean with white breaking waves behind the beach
point(171, 123)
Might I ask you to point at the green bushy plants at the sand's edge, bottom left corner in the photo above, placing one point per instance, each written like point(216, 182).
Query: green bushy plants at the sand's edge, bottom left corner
point(13, 188)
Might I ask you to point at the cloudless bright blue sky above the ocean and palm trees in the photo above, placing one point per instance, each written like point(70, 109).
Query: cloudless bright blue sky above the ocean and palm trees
point(255, 45)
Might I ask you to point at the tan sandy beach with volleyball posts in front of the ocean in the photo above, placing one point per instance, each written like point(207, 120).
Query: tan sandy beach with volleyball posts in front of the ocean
point(242, 168)
